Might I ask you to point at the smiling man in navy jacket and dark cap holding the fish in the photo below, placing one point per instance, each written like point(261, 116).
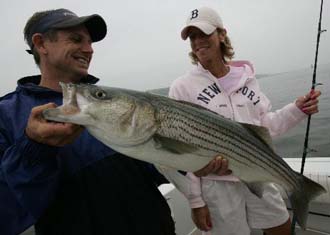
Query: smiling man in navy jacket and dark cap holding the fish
point(56, 175)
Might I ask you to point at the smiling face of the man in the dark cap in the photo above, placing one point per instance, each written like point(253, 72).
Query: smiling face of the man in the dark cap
point(71, 53)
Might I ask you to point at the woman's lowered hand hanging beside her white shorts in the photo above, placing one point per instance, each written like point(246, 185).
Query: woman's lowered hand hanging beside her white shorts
point(202, 218)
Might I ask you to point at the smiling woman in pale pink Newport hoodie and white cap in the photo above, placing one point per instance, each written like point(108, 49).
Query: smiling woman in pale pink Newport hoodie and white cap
point(222, 204)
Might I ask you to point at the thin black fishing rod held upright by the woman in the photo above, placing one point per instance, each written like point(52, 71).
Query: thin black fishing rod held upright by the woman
point(314, 84)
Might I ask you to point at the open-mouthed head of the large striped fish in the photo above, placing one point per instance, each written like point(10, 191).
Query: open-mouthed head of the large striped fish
point(114, 116)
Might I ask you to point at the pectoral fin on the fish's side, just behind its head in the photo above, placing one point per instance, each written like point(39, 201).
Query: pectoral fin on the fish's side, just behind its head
point(172, 145)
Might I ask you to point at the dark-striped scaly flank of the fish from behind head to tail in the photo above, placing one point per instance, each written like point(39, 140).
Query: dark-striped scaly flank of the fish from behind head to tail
point(199, 125)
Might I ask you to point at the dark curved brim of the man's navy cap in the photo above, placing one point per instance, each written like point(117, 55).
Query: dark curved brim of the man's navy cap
point(95, 25)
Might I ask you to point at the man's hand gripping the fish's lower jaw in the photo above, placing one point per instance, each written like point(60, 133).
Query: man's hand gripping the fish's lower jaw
point(50, 133)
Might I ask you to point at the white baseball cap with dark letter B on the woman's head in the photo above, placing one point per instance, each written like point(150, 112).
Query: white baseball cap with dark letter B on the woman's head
point(204, 18)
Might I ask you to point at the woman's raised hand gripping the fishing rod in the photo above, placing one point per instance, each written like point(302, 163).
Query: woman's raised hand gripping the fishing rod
point(309, 102)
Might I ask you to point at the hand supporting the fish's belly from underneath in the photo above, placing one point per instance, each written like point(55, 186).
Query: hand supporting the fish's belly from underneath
point(218, 166)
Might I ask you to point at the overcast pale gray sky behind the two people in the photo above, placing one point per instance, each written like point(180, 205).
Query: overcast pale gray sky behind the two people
point(143, 49)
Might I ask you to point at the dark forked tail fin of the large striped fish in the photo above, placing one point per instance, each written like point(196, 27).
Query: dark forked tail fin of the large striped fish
point(301, 198)
